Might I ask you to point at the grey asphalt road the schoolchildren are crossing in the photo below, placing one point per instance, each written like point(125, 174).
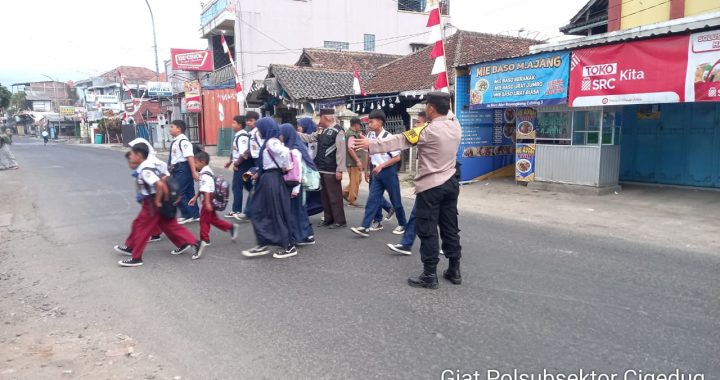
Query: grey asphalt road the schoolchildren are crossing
point(534, 297)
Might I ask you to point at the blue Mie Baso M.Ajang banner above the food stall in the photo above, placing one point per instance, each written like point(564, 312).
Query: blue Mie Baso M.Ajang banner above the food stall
point(536, 80)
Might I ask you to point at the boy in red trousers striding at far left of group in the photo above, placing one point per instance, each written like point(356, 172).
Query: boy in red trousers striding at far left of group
point(151, 189)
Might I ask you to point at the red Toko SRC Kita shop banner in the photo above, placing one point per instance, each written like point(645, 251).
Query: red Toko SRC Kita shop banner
point(640, 72)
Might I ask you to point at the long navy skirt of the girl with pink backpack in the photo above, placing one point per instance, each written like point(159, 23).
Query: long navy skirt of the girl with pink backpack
point(270, 215)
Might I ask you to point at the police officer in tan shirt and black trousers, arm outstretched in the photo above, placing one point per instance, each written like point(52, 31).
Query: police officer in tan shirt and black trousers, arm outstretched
point(437, 187)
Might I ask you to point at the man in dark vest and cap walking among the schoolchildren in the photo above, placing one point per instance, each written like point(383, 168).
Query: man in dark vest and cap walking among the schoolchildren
point(330, 161)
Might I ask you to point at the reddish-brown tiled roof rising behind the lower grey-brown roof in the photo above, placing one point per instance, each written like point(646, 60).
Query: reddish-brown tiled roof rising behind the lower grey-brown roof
point(343, 60)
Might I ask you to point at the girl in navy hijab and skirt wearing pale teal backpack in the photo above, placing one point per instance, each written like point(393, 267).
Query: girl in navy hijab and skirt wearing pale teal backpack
point(301, 231)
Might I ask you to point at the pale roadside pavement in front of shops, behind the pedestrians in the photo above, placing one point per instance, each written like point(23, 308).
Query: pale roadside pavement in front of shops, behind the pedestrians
point(678, 218)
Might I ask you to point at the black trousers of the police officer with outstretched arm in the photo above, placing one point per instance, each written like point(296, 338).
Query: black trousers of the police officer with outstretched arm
point(436, 209)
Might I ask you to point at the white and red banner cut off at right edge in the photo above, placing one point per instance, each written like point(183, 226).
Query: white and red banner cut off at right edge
point(702, 83)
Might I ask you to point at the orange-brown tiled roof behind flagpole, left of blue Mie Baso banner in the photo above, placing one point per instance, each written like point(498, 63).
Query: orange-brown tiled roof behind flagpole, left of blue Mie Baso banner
point(412, 72)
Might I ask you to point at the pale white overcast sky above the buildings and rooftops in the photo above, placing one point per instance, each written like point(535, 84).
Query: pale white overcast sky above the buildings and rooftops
point(78, 39)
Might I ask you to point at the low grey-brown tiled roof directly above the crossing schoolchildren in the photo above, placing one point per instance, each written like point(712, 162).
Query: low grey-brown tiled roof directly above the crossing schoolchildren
point(304, 83)
